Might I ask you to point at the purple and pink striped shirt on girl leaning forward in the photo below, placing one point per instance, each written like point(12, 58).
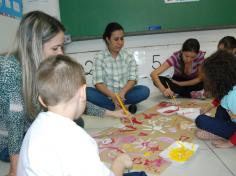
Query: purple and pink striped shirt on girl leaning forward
point(175, 61)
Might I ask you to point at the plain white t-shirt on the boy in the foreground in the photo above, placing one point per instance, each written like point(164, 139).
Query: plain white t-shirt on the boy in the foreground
point(56, 146)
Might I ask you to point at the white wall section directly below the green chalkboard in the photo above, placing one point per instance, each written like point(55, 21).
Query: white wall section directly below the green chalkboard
point(149, 50)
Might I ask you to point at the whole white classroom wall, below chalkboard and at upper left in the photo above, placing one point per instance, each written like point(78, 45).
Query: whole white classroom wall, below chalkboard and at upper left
point(149, 50)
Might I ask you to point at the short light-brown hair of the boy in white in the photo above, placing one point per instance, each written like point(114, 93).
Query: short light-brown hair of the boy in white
point(58, 79)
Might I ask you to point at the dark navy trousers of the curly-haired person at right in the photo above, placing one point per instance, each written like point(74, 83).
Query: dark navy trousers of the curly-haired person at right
point(221, 125)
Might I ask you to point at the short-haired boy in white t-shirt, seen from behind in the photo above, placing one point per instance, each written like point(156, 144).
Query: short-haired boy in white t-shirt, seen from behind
point(54, 145)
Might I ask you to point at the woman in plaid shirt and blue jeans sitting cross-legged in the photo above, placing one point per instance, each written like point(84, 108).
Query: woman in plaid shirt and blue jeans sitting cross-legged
point(115, 72)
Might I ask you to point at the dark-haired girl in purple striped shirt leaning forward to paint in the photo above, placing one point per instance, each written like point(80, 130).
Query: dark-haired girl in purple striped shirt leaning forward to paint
point(186, 78)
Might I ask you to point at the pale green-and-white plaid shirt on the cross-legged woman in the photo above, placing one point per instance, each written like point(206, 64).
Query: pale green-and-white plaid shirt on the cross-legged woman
point(114, 73)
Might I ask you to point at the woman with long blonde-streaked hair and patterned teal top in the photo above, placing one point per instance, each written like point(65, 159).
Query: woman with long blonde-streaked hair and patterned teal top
point(38, 37)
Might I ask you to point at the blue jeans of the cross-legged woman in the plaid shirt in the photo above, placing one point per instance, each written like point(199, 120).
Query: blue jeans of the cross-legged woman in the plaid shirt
point(135, 95)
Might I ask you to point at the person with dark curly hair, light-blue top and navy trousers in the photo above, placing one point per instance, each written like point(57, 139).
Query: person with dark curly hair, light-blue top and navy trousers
point(219, 75)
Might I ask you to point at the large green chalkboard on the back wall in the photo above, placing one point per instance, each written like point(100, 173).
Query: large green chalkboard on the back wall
point(87, 18)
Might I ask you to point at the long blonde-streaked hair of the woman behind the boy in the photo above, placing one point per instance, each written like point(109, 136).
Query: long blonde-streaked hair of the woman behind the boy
point(35, 29)
